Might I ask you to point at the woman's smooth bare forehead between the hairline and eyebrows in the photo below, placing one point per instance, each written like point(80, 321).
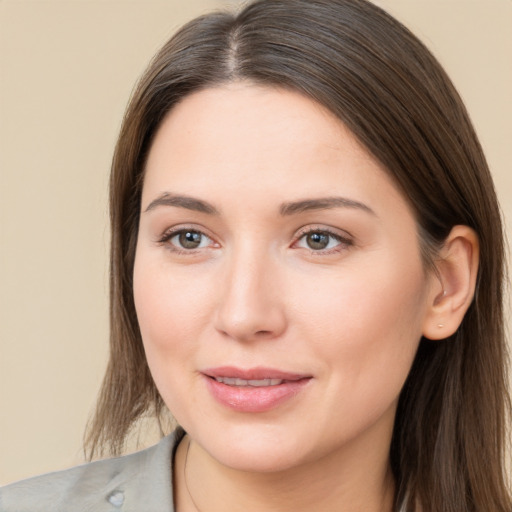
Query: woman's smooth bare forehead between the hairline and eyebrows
point(242, 137)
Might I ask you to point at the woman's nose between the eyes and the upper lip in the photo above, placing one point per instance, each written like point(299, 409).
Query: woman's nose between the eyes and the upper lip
point(251, 303)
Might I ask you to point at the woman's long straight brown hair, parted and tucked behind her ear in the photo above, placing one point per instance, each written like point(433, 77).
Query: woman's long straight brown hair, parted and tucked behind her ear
point(448, 443)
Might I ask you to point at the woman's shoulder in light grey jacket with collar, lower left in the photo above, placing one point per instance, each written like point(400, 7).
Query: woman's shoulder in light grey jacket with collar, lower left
point(139, 481)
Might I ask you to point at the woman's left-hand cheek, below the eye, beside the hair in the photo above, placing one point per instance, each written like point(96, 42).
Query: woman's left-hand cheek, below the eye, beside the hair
point(171, 311)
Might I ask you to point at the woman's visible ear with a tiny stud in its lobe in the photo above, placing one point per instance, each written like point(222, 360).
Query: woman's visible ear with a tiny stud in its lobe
point(453, 283)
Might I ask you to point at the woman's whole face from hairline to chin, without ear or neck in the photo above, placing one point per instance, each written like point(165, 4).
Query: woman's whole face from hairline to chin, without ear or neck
point(278, 280)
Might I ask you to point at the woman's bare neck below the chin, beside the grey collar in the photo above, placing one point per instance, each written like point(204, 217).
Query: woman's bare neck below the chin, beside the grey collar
point(359, 483)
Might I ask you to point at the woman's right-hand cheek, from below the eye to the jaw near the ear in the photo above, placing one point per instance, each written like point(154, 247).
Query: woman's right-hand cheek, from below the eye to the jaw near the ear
point(365, 324)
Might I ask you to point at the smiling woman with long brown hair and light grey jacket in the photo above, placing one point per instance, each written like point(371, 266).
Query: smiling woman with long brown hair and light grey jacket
point(307, 267)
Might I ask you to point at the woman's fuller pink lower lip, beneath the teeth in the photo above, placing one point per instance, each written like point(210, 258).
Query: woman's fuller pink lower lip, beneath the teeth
point(255, 399)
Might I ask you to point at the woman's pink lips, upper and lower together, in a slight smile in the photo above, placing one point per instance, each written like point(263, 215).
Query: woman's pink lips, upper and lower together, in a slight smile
point(254, 399)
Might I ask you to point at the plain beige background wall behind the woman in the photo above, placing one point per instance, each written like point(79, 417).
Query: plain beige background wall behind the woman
point(67, 69)
